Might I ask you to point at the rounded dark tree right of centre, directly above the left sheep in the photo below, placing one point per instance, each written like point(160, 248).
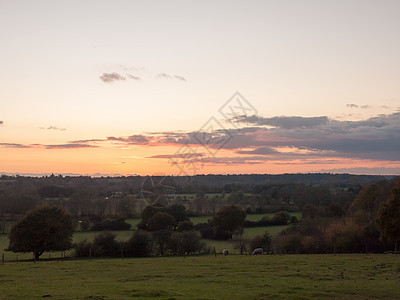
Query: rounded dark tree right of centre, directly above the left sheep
point(228, 220)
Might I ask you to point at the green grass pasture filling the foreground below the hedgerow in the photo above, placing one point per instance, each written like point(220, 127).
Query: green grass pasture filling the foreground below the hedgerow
point(207, 277)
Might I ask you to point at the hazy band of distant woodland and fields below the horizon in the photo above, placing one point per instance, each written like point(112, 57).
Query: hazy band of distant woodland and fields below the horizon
point(122, 197)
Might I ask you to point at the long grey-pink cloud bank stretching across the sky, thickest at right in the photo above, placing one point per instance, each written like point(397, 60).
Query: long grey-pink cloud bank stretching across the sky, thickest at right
point(287, 139)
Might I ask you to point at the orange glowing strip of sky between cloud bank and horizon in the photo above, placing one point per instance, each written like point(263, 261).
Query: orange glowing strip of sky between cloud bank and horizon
point(131, 160)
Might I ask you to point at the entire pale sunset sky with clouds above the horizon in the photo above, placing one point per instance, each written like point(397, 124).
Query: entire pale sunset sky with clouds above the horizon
point(199, 87)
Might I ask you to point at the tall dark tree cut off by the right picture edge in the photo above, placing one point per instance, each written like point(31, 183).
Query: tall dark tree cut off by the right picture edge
point(389, 217)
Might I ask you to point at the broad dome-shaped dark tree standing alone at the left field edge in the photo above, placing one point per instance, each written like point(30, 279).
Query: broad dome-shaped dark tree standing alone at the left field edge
point(45, 228)
